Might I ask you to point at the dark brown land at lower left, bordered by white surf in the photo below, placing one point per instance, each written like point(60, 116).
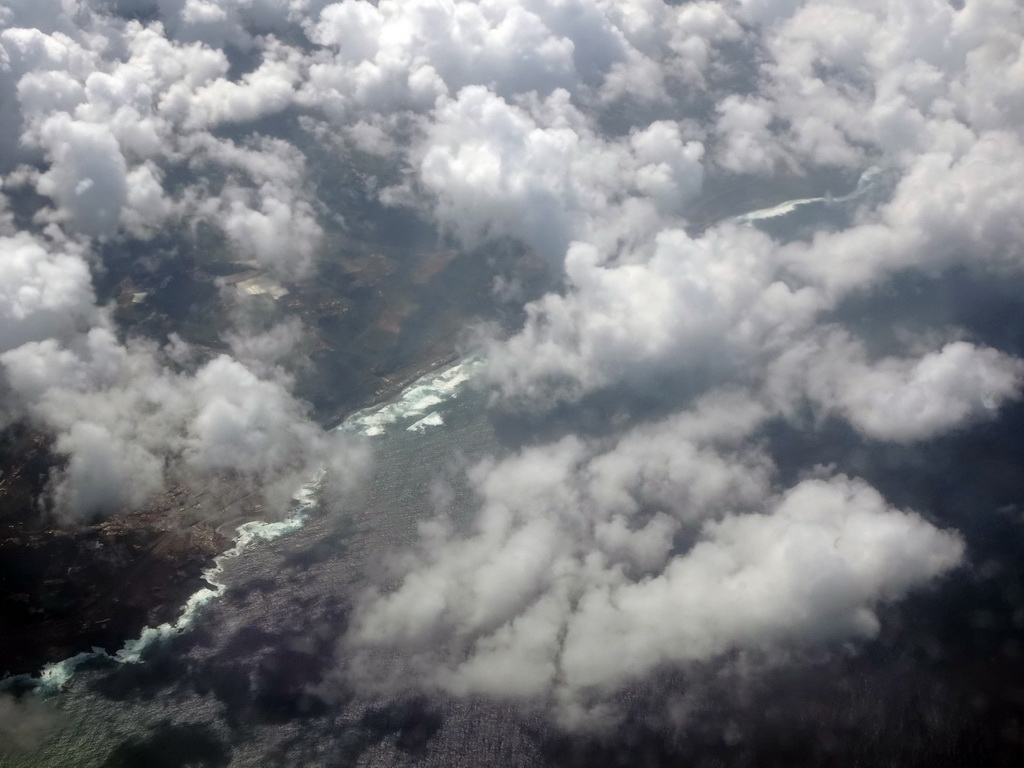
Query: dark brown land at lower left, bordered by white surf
point(68, 590)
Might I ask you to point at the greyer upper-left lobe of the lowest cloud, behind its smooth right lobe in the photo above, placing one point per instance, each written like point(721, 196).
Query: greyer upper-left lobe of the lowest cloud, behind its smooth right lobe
point(543, 510)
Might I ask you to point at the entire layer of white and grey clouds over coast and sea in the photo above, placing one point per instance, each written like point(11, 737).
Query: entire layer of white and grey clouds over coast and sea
point(618, 142)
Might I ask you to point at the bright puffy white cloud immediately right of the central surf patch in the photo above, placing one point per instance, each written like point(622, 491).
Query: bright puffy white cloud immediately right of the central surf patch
point(710, 304)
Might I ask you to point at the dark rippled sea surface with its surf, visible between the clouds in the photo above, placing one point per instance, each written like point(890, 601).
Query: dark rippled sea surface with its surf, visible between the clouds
point(250, 674)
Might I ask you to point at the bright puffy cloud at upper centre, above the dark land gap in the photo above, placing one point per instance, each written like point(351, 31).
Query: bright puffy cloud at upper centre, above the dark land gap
point(542, 173)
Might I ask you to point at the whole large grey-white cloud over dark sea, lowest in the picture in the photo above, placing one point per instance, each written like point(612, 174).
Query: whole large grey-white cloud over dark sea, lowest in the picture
point(589, 568)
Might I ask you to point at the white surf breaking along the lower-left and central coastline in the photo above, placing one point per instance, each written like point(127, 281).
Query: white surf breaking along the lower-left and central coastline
point(426, 393)
